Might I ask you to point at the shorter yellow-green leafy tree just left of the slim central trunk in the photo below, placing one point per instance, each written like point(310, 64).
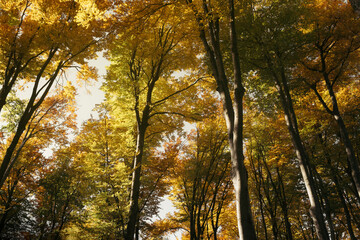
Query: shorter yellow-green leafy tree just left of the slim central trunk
point(100, 177)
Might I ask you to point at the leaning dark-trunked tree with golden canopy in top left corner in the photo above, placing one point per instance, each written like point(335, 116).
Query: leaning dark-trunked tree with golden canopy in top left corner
point(40, 39)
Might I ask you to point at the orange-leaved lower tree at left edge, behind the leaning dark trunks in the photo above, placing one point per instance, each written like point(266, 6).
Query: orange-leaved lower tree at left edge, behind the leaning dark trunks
point(53, 117)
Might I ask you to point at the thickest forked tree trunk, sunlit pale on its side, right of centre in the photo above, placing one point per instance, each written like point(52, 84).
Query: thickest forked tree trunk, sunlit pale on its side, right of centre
point(209, 18)
